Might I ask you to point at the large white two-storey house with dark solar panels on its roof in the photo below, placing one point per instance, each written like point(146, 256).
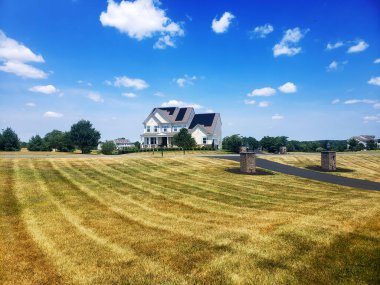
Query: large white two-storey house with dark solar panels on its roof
point(163, 123)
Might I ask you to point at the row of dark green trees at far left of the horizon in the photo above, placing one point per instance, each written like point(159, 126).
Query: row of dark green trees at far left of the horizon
point(81, 136)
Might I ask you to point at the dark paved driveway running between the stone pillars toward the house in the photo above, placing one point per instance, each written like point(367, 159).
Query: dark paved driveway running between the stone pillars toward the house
point(304, 173)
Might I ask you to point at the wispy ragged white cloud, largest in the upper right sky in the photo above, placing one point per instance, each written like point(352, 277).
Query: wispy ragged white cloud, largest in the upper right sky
point(288, 43)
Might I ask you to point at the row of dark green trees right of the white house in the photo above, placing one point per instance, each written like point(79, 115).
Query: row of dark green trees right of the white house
point(272, 144)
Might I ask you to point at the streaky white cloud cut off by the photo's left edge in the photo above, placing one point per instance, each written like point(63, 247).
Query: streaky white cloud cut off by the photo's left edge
point(14, 56)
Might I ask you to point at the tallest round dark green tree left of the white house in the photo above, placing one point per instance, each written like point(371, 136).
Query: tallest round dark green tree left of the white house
point(84, 136)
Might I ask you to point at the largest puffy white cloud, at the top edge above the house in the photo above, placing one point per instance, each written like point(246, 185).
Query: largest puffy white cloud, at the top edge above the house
point(141, 19)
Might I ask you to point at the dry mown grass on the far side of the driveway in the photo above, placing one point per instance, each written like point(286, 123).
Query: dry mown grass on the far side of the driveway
point(355, 165)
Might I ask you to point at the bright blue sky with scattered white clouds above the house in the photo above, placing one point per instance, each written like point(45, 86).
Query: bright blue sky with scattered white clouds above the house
point(304, 69)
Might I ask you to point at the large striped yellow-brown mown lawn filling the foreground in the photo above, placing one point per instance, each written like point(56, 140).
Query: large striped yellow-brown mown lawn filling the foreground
point(180, 220)
